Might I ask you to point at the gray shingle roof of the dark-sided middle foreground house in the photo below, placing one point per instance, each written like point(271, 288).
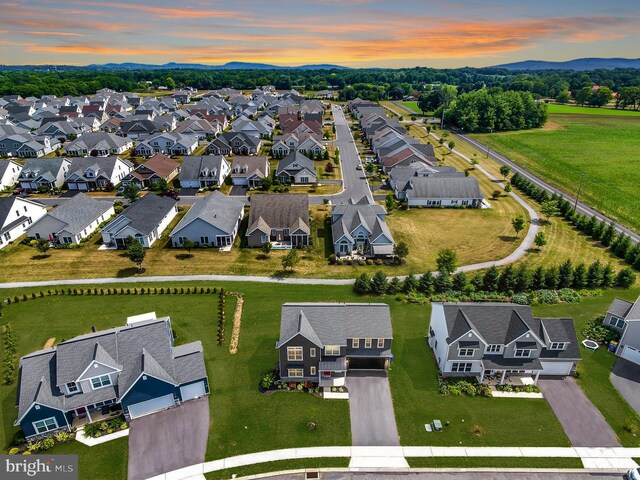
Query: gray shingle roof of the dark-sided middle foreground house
point(335, 323)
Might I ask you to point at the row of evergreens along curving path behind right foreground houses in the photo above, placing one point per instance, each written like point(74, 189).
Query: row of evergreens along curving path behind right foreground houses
point(509, 280)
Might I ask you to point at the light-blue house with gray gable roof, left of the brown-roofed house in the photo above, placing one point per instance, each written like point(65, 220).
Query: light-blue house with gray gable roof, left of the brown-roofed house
point(213, 220)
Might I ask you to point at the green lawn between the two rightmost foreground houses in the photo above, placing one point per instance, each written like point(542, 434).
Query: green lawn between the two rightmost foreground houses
point(595, 367)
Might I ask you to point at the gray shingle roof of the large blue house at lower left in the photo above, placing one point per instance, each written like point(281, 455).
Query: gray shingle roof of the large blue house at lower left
point(143, 347)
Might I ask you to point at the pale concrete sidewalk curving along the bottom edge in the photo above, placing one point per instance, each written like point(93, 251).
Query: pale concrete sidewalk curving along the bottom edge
point(604, 459)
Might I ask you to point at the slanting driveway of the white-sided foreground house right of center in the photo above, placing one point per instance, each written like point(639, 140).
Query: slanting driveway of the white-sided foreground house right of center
point(581, 420)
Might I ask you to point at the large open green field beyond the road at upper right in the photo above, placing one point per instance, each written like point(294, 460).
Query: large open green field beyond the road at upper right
point(603, 147)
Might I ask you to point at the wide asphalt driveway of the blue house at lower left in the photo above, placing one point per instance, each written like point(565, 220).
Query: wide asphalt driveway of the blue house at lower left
point(168, 440)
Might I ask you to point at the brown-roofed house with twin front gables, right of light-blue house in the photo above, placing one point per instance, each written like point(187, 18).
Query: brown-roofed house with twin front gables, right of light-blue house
point(279, 219)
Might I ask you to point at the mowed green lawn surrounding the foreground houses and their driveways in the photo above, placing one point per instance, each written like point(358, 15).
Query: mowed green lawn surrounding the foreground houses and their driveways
point(243, 420)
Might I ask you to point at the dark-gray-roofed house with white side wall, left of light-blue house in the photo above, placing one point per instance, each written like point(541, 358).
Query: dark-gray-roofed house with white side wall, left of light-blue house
point(144, 221)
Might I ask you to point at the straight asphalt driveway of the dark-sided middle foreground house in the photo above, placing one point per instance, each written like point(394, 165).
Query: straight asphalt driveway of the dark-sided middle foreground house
point(371, 409)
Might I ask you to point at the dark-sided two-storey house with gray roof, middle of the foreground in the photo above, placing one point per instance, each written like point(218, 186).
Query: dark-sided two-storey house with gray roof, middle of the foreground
point(321, 342)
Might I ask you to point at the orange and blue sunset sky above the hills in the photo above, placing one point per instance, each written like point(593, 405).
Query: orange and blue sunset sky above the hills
point(355, 33)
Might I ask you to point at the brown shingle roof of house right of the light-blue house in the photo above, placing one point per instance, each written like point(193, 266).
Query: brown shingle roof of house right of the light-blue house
point(279, 211)
